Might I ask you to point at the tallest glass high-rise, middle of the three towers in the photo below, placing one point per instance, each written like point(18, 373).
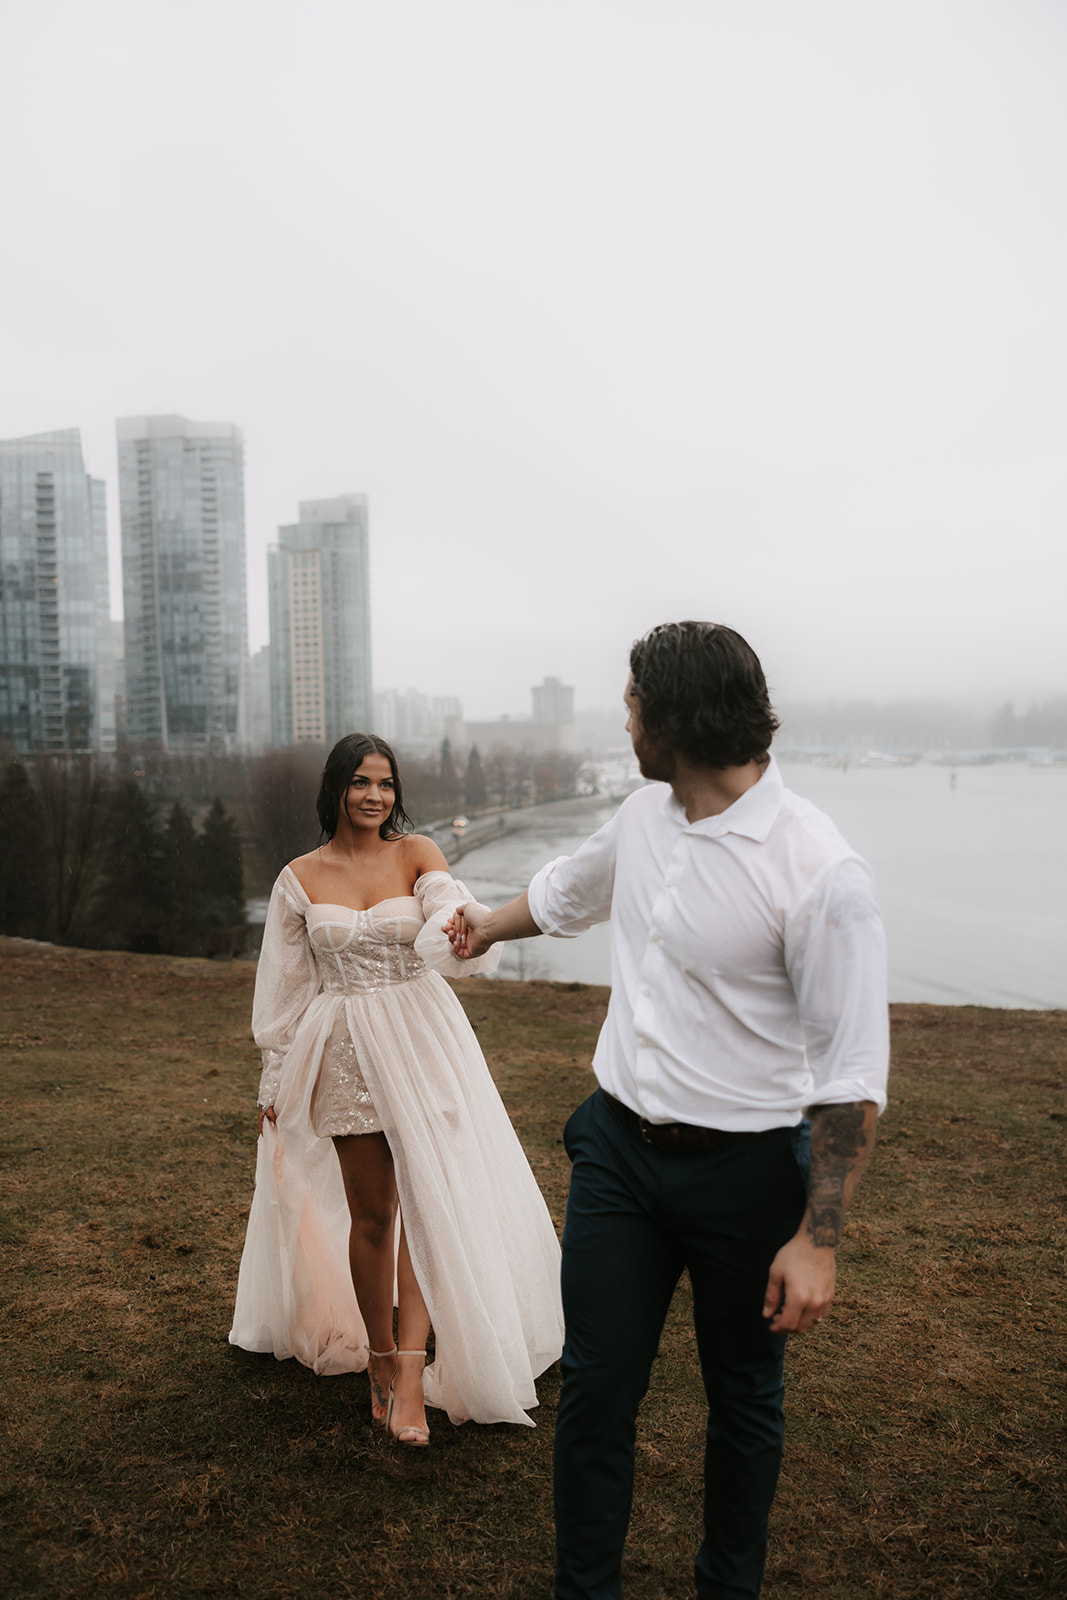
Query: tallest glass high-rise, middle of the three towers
point(182, 497)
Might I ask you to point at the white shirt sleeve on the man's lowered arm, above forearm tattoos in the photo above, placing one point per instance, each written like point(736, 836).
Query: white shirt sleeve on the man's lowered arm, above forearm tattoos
point(836, 954)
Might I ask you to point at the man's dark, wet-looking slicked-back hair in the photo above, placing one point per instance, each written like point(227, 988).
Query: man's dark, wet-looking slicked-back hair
point(703, 694)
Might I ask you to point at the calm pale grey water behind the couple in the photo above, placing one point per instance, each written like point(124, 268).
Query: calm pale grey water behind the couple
point(973, 879)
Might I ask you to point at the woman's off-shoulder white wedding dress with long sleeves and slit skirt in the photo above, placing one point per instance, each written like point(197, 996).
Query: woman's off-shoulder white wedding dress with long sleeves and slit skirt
point(364, 988)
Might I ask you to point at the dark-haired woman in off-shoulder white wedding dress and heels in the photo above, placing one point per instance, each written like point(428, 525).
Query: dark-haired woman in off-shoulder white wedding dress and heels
point(430, 1202)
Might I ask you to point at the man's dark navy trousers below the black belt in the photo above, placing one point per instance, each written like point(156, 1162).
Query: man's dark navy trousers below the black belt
point(636, 1220)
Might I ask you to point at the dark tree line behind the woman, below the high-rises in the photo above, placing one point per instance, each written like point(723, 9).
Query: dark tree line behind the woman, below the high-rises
point(161, 857)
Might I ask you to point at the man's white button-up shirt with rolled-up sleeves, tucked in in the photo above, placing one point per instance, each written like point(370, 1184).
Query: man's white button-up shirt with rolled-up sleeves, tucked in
point(748, 958)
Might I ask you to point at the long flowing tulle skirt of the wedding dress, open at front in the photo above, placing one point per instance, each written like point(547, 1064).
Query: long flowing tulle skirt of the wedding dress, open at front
point(481, 1238)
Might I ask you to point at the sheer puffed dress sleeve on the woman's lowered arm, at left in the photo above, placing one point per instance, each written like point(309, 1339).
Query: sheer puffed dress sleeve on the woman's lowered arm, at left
point(286, 982)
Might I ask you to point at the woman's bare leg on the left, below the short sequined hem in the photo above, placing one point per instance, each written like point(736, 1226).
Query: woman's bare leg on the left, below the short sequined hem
point(370, 1188)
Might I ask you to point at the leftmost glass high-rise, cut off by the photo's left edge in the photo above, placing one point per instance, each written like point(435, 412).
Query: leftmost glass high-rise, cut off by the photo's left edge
point(57, 678)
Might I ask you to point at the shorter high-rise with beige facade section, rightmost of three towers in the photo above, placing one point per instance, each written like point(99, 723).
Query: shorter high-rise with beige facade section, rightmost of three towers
point(321, 625)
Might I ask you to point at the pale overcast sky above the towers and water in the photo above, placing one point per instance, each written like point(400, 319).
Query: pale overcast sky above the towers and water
point(617, 310)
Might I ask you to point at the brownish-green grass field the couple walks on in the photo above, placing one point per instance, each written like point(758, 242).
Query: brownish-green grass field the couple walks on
point(148, 1458)
